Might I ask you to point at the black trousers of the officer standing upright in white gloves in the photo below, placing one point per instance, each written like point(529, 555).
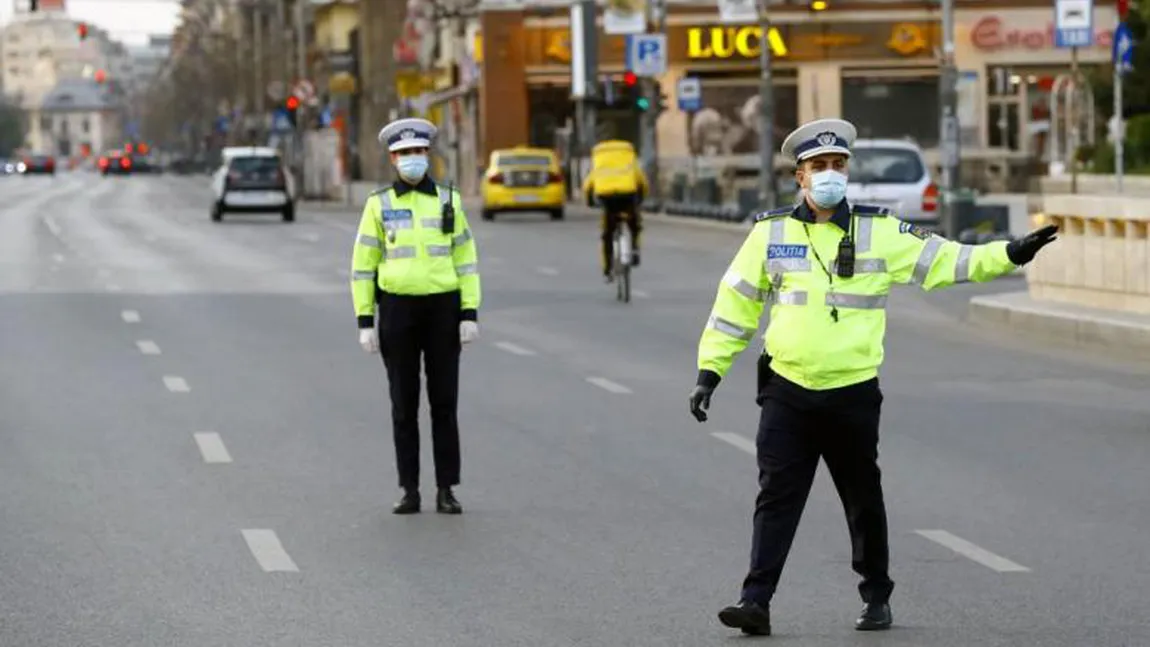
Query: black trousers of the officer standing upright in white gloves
point(413, 329)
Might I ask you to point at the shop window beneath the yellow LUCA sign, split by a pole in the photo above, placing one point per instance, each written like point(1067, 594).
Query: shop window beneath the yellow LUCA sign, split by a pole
point(730, 122)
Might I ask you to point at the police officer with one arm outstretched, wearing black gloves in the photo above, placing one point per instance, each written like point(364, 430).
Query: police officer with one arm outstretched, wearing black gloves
point(825, 269)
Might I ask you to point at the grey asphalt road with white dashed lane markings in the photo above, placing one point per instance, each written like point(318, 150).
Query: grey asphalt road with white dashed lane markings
point(197, 453)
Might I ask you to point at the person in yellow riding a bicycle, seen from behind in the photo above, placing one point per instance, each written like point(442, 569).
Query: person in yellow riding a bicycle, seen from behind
point(619, 186)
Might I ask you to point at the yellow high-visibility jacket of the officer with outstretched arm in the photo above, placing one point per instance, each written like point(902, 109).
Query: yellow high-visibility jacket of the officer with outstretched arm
point(779, 264)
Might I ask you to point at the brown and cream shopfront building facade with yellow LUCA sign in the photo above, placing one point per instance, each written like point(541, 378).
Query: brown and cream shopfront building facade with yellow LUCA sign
point(873, 64)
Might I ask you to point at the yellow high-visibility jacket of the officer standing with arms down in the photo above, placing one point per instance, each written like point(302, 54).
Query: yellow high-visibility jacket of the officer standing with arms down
point(401, 248)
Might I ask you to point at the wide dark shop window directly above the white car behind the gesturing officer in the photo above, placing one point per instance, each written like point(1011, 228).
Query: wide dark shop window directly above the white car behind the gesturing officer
point(893, 106)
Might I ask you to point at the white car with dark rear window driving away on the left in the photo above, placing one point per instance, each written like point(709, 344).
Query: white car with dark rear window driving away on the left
point(254, 180)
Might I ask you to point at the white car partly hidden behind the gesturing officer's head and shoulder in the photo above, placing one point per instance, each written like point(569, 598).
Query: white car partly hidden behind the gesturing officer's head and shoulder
point(894, 174)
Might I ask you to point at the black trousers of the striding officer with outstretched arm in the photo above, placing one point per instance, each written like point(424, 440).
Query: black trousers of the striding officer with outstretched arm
point(798, 428)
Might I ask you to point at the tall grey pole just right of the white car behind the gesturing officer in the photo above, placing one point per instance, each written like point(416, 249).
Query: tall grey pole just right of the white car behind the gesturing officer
point(948, 121)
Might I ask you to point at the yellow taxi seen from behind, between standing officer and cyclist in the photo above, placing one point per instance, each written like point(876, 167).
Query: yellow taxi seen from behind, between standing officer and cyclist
point(524, 180)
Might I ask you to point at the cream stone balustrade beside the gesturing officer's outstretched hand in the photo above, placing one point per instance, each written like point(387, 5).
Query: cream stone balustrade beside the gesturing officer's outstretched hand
point(1102, 258)
